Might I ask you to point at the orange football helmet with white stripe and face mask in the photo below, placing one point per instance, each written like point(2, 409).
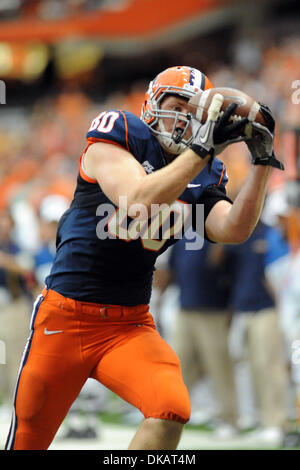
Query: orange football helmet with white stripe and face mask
point(182, 81)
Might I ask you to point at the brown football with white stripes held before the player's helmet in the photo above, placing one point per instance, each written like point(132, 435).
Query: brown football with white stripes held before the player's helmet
point(199, 104)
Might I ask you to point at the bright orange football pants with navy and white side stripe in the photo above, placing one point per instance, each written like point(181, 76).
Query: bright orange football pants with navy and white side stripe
point(71, 341)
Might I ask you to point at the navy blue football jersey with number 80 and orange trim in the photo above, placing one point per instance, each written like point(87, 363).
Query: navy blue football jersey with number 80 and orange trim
point(103, 256)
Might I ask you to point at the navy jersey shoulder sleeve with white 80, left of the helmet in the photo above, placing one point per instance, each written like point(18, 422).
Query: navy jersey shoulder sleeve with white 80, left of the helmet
point(120, 128)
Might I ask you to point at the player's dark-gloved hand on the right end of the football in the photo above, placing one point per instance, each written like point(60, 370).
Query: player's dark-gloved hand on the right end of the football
point(261, 142)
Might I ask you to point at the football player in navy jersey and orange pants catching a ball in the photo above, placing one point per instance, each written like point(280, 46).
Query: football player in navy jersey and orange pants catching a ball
point(92, 318)
